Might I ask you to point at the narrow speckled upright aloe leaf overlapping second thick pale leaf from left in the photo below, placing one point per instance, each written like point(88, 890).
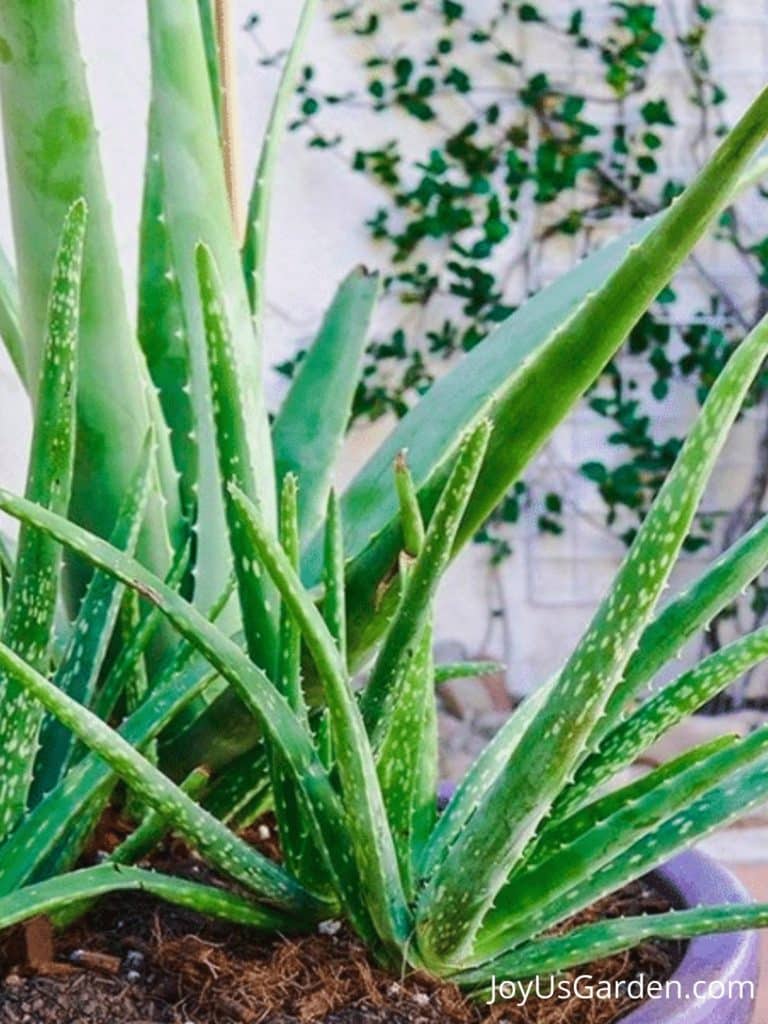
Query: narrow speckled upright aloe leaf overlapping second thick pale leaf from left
point(236, 459)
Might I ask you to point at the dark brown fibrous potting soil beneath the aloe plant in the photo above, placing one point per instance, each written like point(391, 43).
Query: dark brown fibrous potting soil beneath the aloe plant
point(135, 961)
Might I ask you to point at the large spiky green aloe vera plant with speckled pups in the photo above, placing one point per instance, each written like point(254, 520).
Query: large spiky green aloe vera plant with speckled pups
point(228, 635)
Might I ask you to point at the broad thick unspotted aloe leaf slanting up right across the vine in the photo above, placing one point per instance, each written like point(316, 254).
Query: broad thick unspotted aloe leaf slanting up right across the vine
point(551, 338)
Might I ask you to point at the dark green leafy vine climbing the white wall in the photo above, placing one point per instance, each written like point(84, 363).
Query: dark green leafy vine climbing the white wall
point(515, 142)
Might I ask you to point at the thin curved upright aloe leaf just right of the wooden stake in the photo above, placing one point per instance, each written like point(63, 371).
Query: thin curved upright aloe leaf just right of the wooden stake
point(258, 230)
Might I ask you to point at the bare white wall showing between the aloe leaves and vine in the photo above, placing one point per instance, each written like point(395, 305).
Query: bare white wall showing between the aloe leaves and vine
point(551, 586)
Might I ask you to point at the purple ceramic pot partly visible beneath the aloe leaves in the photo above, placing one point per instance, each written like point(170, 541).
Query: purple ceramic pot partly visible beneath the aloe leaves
point(727, 964)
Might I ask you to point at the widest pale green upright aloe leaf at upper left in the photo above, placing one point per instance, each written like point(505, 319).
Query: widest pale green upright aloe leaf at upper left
point(52, 151)
